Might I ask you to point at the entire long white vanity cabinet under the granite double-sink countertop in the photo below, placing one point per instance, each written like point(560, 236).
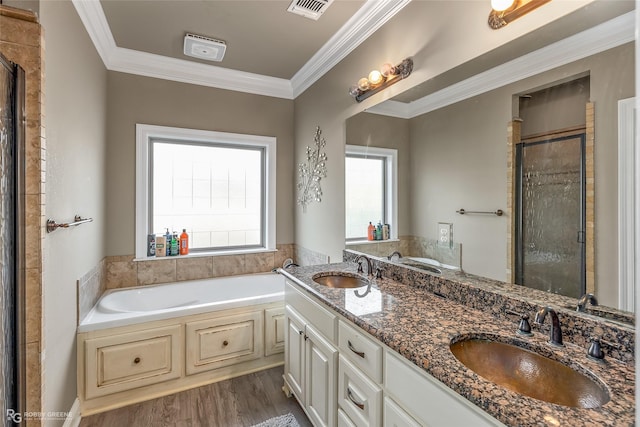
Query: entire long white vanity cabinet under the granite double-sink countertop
point(375, 385)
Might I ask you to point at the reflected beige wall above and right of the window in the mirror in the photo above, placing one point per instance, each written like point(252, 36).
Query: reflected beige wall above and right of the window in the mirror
point(372, 130)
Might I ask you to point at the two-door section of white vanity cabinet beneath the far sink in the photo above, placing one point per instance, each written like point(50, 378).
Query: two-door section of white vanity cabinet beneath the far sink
point(311, 359)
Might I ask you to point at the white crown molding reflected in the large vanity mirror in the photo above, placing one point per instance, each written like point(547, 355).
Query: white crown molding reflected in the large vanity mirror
point(605, 36)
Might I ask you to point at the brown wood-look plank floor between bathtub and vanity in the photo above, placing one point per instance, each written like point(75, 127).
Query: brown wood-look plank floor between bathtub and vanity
point(238, 402)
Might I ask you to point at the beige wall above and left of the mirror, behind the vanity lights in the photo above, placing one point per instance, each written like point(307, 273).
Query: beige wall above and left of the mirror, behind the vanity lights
point(327, 103)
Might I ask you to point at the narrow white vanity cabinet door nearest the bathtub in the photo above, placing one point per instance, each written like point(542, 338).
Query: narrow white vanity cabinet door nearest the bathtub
point(294, 353)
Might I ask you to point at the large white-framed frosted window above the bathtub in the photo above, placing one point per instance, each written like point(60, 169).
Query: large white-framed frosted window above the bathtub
point(218, 186)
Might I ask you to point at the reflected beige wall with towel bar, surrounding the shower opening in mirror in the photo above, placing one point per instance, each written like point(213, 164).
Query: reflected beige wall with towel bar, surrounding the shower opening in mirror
point(459, 161)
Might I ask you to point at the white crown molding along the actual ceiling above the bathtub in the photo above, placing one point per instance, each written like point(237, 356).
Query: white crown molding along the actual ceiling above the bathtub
point(368, 19)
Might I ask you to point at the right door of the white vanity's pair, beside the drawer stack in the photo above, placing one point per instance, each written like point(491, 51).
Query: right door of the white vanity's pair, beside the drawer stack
point(321, 360)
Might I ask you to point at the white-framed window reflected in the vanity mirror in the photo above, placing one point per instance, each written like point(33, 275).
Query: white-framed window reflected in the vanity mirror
point(370, 190)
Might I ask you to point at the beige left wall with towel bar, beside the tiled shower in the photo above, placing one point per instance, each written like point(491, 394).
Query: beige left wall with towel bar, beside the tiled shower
point(75, 123)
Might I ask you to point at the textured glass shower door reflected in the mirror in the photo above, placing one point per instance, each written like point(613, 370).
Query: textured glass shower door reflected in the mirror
point(550, 209)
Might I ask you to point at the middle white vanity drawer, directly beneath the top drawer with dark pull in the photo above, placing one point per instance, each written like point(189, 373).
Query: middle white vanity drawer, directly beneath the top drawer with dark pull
point(358, 396)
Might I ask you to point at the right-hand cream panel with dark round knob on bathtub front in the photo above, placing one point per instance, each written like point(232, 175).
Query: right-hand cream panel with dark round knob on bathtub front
point(224, 341)
